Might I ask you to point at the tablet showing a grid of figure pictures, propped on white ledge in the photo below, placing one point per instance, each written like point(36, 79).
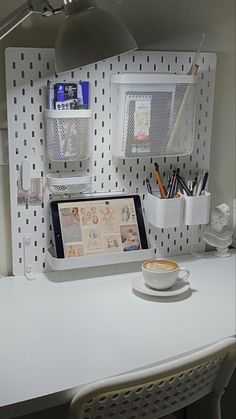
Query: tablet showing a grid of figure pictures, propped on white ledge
point(98, 226)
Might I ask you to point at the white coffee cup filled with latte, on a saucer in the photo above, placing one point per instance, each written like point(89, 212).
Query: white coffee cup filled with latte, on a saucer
point(161, 274)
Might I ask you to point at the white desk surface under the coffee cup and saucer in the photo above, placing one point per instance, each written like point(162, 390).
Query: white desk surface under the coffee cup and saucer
point(59, 333)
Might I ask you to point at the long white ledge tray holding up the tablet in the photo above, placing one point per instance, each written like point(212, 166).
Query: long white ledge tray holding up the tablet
point(61, 264)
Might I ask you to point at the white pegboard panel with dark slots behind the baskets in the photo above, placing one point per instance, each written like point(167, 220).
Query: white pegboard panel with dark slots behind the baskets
point(27, 72)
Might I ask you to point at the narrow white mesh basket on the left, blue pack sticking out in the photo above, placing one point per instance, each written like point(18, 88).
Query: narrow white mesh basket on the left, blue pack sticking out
point(68, 134)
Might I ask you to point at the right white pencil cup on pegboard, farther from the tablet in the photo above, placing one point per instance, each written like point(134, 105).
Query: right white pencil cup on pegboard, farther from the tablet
point(197, 209)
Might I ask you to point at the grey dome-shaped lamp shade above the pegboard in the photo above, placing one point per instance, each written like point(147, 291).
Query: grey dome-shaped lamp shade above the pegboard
point(90, 36)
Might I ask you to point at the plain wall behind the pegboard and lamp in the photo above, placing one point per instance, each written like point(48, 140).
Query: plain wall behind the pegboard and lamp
point(161, 25)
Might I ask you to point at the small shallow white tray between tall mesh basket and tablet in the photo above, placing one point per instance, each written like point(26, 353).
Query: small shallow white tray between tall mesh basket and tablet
point(68, 183)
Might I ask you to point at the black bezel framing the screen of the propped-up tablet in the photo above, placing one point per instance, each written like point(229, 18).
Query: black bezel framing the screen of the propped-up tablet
point(58, 241)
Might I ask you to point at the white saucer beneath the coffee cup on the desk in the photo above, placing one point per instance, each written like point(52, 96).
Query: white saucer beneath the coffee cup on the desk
point(141, 286)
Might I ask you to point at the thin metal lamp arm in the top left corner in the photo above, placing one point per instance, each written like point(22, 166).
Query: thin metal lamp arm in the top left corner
point(32, 6)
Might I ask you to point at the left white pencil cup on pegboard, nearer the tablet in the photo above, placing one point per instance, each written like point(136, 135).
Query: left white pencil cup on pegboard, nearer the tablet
point(163, 213)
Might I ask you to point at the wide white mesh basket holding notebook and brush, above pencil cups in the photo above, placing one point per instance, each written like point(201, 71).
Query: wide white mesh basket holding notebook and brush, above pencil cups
point(152, 114)
